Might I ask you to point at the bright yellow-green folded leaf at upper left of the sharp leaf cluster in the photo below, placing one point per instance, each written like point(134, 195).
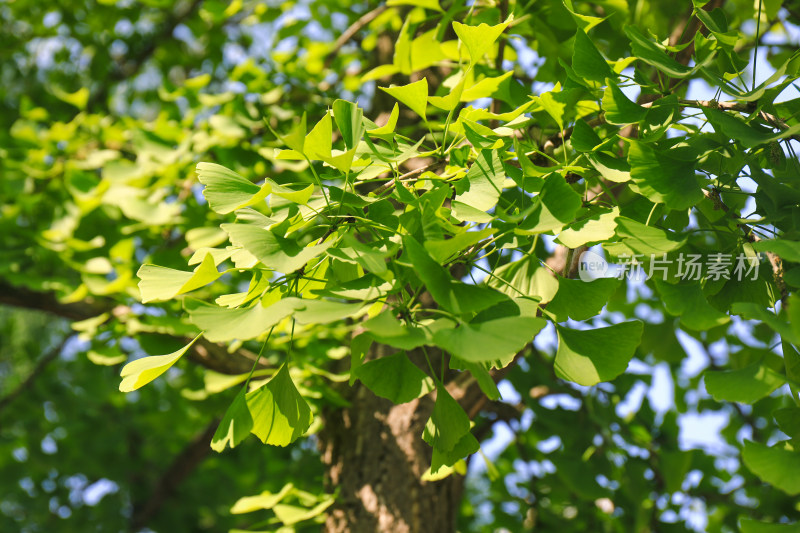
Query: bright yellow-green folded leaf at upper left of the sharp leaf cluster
point(227, 191)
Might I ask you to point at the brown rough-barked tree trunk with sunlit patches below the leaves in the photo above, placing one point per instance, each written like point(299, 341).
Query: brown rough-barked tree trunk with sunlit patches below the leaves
point(375, 457)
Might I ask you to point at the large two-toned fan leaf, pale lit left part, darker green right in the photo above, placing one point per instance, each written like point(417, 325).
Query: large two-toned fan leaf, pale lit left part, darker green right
point(588, 357)
